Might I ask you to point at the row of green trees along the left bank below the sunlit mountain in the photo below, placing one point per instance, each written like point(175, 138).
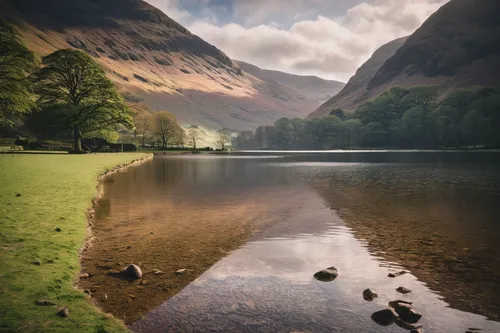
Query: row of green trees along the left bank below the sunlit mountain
point(68, 95)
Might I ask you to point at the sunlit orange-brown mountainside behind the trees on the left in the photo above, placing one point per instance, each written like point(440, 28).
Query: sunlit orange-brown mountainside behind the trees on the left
point(155, 62)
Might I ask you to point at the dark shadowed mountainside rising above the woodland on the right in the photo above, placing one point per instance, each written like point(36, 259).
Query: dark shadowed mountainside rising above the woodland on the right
point(458, 46)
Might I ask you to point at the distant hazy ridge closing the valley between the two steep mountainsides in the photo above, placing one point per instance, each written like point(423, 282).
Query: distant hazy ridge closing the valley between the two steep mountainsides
point(312, 87)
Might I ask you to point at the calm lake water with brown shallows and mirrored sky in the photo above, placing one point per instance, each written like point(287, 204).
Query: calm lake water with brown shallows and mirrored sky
point(290, 215)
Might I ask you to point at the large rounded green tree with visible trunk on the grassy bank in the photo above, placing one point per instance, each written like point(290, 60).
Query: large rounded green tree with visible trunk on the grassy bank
point(72, 83)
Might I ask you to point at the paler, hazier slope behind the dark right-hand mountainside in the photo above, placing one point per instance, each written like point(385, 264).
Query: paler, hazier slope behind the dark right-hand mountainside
point(355, 92)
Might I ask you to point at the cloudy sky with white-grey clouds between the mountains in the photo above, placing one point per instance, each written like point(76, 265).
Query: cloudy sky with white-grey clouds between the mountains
point(328, 38)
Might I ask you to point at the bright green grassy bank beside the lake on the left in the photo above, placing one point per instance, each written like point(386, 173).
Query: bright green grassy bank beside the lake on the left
point(36, 261)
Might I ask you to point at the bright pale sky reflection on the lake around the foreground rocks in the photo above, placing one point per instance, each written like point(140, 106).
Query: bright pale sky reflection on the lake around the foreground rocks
point(267, 286)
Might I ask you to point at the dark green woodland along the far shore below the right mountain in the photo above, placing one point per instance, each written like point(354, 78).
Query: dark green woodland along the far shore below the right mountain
point(398, 118)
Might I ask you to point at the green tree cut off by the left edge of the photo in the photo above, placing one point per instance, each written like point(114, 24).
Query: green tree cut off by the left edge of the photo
point(16, 62)
